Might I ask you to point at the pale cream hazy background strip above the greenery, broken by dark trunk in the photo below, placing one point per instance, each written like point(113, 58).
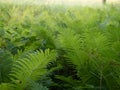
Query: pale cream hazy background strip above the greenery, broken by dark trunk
point(62, 2)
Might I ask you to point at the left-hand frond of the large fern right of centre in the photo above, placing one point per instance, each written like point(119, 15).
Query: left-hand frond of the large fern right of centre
point(72, 44)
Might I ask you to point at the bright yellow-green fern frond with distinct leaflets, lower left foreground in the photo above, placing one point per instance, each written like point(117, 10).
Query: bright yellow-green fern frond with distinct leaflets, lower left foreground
point(32, 68)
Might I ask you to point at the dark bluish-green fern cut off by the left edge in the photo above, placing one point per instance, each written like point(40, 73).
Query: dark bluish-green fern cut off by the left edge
point(5, 65)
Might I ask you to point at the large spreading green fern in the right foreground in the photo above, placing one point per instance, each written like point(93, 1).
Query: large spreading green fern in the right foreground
point(88, 53)
